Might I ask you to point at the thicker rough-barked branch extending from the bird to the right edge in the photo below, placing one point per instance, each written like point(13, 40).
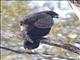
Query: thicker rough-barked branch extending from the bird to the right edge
point(66, 46)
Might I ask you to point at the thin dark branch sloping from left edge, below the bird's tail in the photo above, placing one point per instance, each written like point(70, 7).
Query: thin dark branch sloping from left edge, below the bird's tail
point(45, 55)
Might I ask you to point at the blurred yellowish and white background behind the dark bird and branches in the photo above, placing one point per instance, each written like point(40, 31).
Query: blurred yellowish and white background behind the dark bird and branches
point(66, 28)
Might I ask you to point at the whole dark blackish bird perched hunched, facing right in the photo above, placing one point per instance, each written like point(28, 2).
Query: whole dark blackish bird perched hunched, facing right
point(35, 26)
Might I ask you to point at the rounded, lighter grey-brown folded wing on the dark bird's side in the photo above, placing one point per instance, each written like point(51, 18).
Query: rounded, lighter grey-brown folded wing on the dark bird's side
point(46, 21)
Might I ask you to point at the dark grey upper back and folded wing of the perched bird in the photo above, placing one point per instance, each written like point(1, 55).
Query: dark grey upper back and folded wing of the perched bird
point(40, 20)
